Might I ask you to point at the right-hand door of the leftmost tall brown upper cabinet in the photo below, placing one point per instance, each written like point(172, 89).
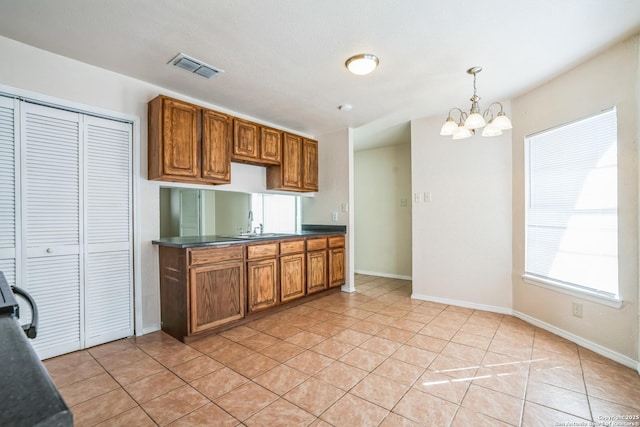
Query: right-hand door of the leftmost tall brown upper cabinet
point(216, 147)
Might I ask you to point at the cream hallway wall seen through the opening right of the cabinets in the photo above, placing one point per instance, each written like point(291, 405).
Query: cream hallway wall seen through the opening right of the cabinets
point(382, 223)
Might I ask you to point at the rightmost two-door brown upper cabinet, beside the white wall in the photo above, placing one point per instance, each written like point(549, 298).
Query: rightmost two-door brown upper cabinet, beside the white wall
point(299, 168)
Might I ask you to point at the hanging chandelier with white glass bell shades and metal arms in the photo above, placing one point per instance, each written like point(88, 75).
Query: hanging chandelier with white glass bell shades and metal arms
point(468, 122)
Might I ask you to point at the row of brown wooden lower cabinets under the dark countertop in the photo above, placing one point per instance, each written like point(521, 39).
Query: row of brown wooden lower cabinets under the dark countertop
point(205, 288)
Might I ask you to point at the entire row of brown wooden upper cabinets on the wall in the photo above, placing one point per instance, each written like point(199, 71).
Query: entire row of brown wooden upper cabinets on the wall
point(191, 144)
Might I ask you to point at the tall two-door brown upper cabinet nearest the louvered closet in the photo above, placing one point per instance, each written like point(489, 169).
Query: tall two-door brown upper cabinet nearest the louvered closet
point(188, 143)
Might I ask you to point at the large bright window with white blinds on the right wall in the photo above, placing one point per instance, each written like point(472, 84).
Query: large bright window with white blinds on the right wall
point(572, 207)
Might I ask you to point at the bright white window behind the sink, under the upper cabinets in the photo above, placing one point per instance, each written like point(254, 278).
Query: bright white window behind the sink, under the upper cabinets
point(278, 213)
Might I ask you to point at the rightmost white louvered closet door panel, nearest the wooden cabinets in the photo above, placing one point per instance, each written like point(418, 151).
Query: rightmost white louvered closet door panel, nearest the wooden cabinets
point(108, 286)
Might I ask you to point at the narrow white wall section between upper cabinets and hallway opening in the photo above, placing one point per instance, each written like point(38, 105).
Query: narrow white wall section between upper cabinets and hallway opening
point(335, 181)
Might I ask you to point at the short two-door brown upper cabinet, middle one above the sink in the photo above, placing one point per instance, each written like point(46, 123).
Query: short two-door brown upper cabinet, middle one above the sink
point(255, 144)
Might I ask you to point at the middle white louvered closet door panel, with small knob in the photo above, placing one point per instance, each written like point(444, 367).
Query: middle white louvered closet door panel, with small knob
point(51, 228)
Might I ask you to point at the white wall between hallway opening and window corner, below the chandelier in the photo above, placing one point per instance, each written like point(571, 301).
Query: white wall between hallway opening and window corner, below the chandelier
point(462, 238)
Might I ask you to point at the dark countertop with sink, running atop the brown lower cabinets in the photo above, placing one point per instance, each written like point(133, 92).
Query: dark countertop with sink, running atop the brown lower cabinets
point(216, 240)
